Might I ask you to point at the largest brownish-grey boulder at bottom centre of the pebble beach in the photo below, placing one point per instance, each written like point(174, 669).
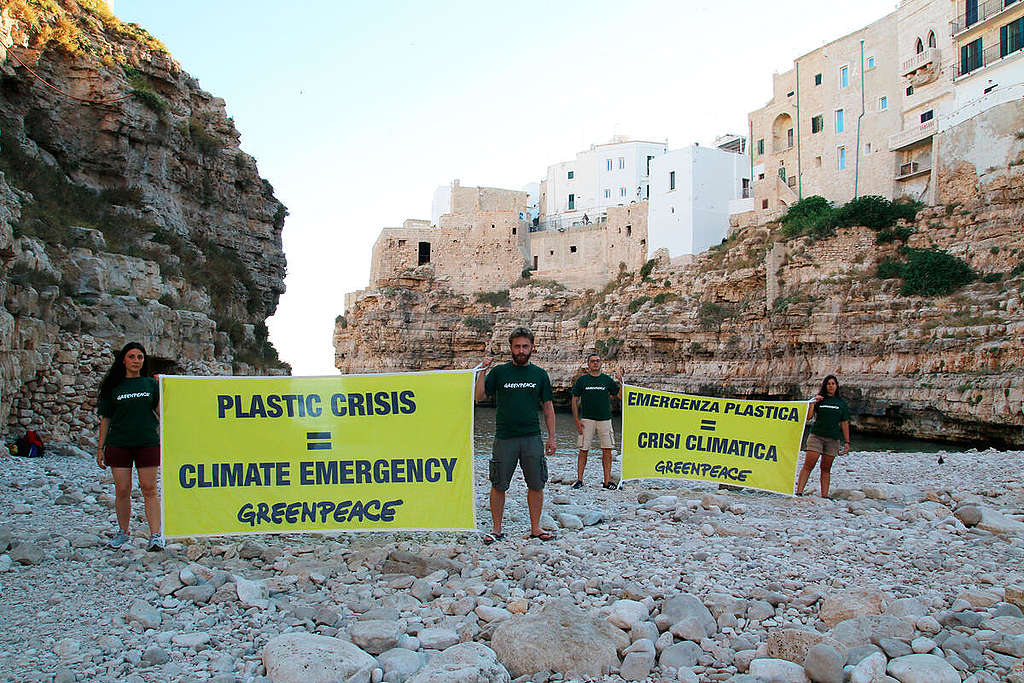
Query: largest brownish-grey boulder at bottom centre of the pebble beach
point(560, 638)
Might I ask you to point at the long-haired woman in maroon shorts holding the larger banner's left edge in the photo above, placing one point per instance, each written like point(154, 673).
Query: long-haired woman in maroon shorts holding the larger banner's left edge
point(130, 399)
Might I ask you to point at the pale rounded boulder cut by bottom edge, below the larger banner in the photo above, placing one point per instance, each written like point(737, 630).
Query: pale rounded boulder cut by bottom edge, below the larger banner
point(305, 658)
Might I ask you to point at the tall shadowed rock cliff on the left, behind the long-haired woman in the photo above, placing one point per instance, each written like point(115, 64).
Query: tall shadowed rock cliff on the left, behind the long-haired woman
point(135, 218)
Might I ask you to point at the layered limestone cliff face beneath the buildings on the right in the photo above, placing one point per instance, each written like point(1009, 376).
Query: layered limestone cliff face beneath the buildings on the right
point(762, 317)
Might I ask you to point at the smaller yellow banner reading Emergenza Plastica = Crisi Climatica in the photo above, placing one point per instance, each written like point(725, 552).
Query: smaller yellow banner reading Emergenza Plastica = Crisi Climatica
point(752, 444)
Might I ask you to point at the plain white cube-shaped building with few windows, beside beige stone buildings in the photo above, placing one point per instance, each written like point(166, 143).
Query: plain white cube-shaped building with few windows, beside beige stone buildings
point(692, 193)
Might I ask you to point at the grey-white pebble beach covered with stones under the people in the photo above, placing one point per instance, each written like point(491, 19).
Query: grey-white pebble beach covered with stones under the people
point(913, 571)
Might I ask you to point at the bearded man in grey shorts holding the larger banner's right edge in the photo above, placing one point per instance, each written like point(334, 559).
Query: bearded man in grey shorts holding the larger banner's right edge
point(518, 388)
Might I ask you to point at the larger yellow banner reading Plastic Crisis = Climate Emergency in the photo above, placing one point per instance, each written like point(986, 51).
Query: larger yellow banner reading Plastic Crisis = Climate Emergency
point(259, 455)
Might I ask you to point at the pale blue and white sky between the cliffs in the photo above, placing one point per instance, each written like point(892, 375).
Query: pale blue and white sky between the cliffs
point(357, 112)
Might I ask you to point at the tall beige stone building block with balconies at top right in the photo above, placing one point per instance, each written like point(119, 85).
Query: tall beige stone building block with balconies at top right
point(929, 67)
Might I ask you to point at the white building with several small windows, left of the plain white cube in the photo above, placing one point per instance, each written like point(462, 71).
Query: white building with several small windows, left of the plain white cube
point(606, 176)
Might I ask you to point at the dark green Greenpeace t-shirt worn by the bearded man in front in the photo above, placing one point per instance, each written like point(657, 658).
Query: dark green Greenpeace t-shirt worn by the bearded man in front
point(518, 390)
